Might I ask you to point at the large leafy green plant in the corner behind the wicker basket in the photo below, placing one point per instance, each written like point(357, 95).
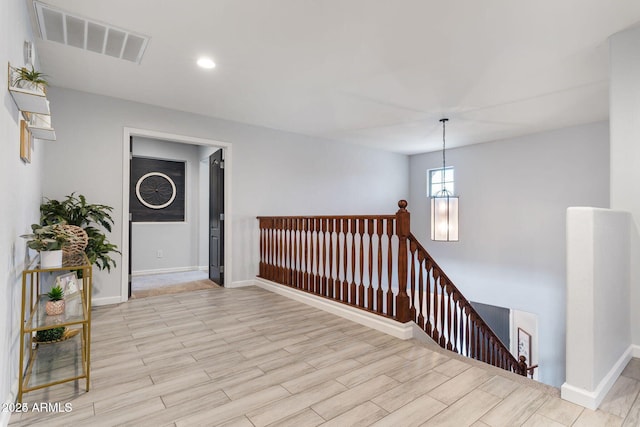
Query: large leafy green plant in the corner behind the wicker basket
point(75, 210)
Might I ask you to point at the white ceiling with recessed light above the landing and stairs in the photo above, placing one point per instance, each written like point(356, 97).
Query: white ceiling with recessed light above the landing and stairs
point(374, 72)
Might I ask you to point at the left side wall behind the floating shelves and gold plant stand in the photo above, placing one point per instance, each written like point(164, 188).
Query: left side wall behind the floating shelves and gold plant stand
point(20, 186)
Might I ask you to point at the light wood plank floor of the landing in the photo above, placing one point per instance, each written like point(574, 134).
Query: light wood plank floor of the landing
point(247, 357)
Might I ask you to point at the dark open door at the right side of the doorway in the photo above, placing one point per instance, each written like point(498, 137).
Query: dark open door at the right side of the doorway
point(216, 217)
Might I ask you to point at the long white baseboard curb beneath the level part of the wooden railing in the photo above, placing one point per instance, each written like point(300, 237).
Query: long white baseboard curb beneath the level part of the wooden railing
point(403, 331)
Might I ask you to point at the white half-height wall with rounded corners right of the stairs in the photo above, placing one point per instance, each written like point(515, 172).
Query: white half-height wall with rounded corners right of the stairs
point(598, 311)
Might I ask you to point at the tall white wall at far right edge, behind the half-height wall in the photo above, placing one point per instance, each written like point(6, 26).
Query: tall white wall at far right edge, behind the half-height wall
point(625, 147)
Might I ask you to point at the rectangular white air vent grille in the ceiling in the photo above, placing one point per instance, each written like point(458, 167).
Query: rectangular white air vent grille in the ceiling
point(62, 27)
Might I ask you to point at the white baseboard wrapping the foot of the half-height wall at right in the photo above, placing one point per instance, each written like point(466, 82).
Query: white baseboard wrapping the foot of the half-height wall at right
point(592, 399)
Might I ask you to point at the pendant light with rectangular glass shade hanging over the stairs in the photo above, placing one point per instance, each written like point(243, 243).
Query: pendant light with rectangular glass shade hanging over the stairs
point(444, 206)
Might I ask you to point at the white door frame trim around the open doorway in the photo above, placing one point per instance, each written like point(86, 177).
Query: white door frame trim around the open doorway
point(228, 207)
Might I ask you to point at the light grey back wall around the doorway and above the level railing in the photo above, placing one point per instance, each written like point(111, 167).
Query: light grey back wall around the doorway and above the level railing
point(273, 172)
